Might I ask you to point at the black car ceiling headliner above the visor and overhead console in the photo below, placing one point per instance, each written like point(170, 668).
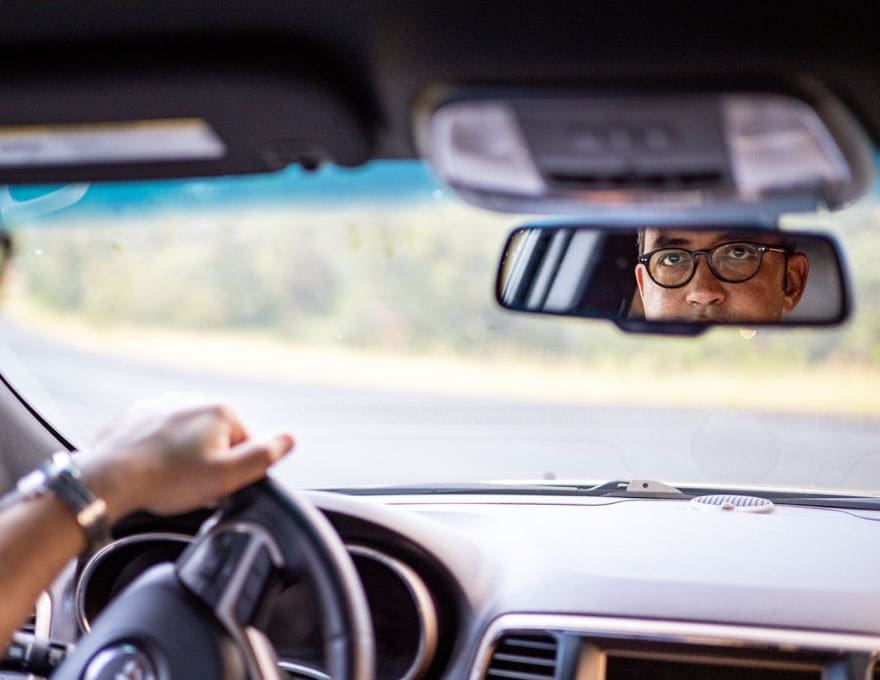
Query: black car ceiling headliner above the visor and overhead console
point(385, 54)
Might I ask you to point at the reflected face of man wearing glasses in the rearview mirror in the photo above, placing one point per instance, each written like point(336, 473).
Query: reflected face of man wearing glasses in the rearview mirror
point(757, 277)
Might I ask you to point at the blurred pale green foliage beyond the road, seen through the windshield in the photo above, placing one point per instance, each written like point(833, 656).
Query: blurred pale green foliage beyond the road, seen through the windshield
point(416, 279)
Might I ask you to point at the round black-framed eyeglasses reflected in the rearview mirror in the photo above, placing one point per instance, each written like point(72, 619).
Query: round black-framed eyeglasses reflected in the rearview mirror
point(733, 262)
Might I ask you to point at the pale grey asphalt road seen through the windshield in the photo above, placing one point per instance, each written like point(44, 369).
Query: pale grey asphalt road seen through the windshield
point(355, 436)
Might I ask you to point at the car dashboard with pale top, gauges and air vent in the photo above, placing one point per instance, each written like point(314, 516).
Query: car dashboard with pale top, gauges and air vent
point(531, 587)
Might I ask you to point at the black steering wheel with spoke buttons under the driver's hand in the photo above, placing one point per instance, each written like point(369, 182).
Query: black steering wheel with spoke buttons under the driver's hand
point(200, 617)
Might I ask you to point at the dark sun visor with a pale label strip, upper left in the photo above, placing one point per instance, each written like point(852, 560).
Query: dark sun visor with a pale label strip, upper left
point(105, 115)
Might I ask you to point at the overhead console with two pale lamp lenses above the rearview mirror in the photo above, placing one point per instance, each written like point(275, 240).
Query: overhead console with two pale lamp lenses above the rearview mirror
point(748, 151)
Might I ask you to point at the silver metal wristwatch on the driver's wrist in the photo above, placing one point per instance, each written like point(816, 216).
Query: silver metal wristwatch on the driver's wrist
point(62, 477)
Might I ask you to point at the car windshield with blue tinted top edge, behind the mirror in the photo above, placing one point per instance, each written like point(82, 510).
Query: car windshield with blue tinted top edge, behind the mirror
point(355, 308)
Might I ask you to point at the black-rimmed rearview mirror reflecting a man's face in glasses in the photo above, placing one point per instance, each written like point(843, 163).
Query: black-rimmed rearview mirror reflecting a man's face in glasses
point(671, 279)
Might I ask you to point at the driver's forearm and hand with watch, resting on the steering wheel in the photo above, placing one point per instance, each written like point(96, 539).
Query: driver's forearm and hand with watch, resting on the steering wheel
point(158, 460)
